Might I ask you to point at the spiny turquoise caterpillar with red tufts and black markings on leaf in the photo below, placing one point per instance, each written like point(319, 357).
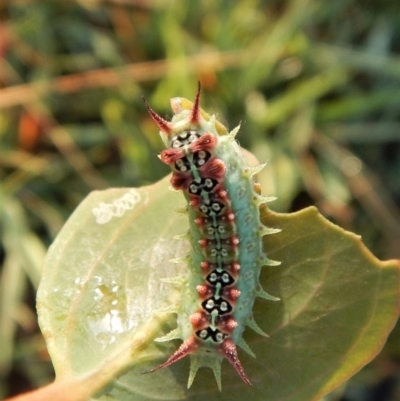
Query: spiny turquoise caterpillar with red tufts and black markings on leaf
point(226, 236)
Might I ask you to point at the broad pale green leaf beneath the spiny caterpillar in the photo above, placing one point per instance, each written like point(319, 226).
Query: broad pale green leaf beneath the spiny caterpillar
point(101, 298)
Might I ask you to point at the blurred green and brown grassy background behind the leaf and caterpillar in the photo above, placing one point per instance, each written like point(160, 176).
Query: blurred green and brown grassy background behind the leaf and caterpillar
point(316, 85)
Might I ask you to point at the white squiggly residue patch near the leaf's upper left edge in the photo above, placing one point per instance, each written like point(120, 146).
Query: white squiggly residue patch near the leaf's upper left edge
point(104, 212)
